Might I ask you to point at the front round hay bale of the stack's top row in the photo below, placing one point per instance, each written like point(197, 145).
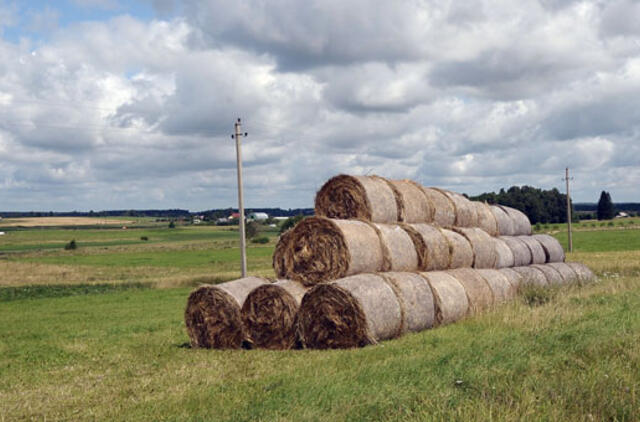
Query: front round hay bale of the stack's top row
point(370, 198)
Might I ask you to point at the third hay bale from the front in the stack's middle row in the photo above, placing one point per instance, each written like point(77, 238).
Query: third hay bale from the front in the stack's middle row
point(431, 246)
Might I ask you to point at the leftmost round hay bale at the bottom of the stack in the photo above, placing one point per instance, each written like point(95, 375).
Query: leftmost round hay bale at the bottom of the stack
point(213, 317)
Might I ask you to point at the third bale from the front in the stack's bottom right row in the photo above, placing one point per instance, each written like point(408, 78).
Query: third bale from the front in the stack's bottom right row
point(450, 298)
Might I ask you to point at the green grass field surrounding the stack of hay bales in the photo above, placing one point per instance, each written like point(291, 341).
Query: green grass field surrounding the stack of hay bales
point(112, 348)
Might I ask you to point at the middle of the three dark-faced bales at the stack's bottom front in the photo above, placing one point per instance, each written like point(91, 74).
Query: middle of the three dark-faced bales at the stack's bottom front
point(269, 314)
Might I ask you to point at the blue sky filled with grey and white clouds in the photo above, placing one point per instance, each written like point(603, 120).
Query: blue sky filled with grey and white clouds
point(114, 104)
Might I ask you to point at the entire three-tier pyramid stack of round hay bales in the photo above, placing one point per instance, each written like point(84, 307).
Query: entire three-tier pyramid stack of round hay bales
point(380, 258)
